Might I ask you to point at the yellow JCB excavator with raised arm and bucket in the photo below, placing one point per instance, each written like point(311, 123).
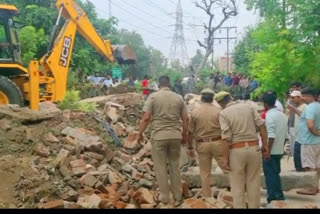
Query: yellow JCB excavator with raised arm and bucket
point(46, 79)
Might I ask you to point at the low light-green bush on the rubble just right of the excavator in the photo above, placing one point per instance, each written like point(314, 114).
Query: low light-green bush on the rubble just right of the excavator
point(72, 102)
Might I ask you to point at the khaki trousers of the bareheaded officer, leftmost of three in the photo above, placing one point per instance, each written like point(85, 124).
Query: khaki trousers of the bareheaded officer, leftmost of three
point(167, 153)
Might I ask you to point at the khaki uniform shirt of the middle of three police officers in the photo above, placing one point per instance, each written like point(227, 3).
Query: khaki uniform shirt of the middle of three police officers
point(204, 121)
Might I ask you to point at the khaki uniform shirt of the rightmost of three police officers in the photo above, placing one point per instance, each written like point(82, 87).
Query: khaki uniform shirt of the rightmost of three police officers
point(239, 122)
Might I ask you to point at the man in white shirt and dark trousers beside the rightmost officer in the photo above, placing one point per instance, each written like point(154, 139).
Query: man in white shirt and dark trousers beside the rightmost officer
point(277, 129)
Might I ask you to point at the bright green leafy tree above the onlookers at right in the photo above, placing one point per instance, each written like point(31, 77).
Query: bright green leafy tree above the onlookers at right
point(284, 47)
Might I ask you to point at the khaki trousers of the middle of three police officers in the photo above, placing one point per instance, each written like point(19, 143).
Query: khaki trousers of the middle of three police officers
point(206, 152)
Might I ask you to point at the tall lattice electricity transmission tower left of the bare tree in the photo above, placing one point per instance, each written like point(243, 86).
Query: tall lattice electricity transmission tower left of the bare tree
point(178, 50)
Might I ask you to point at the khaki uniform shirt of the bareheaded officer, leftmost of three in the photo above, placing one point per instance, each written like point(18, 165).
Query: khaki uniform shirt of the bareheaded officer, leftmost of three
point(166, 108)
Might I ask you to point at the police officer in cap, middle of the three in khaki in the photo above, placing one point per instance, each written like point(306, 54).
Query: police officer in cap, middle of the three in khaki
point(204, 128)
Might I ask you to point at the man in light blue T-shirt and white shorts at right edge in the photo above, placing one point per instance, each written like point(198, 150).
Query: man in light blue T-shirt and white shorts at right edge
point(309, 135)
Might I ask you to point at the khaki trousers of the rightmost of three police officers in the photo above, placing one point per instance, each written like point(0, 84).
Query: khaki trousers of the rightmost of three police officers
point(245, 175)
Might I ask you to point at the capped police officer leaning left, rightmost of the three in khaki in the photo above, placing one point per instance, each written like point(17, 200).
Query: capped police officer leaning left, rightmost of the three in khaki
point(238, 124)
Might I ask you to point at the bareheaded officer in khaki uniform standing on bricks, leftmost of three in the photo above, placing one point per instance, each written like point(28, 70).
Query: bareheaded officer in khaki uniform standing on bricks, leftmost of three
point(166, 109)
